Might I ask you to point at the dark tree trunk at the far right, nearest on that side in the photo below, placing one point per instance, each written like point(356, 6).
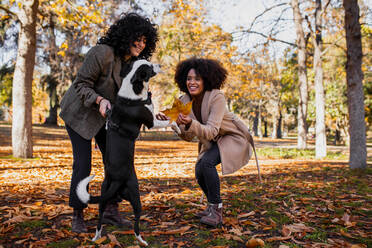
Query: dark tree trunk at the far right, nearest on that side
point(354, 78)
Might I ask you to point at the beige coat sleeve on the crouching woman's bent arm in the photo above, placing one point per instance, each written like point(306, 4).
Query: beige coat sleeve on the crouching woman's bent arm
point(210, 130)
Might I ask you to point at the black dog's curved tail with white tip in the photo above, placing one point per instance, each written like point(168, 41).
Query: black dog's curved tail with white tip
point(85, 197)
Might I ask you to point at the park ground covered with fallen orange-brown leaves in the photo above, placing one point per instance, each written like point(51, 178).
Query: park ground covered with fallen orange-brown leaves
point(302, 202)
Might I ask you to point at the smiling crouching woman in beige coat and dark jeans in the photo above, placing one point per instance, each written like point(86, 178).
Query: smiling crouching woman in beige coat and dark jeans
point(223, 137)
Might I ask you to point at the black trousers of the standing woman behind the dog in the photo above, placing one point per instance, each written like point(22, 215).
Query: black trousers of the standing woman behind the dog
point(82, 154)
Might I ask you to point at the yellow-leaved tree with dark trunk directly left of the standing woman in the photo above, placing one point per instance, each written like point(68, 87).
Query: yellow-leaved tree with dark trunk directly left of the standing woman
point(66, 29)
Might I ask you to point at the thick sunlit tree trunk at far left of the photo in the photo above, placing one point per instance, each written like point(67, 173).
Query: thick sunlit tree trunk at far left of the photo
point(22, 81)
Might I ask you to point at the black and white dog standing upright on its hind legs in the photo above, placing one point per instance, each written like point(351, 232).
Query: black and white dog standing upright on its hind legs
point(133, 107)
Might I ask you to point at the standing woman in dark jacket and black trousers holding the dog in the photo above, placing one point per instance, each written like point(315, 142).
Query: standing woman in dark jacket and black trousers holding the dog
point(84, 105)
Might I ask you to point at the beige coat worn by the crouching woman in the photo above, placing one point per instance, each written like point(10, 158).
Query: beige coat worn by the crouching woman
point(220, 125)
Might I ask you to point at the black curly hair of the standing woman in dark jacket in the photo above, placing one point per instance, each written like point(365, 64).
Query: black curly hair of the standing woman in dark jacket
point(125, 31)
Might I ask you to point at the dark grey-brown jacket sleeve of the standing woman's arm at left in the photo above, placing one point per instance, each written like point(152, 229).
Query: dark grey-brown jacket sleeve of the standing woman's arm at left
point(94, 63)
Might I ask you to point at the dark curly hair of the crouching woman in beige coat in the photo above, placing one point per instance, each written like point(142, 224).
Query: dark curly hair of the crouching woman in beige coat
point(210, 70)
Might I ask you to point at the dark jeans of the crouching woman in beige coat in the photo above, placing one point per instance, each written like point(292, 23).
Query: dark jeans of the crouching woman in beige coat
point(207, 176)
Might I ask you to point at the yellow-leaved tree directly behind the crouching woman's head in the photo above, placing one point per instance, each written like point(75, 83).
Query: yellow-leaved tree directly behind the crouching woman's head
point(185, 33)
